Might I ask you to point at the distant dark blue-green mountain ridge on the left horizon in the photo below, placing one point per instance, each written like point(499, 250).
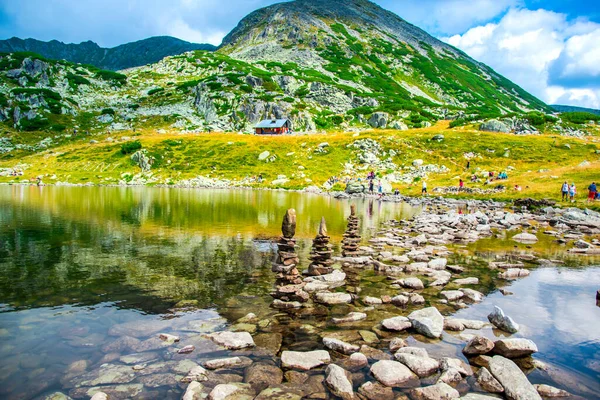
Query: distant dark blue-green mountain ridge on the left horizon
point(128, 55)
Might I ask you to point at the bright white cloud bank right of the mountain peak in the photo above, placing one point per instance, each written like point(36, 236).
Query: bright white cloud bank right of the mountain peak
point(555, 59)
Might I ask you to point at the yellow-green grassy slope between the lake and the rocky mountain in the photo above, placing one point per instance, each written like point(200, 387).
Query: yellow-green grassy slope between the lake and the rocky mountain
point(233, 156)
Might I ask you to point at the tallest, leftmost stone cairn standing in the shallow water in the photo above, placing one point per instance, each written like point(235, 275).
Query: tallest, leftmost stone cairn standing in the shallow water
point(289, 291)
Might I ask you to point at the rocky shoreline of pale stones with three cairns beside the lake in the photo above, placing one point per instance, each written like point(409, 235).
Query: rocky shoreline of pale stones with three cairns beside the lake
point(359, 354)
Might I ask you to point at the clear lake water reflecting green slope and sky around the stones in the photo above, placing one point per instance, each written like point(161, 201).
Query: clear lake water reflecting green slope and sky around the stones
point(82, 267)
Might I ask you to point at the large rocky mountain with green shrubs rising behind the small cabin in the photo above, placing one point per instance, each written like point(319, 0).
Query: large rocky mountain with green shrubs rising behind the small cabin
point(323, 64)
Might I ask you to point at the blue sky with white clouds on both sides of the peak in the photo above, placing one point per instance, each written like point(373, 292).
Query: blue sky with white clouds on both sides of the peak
point(549, 47)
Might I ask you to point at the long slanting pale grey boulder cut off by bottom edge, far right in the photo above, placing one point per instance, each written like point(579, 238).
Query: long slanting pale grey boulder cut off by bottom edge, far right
point(513, 380)
